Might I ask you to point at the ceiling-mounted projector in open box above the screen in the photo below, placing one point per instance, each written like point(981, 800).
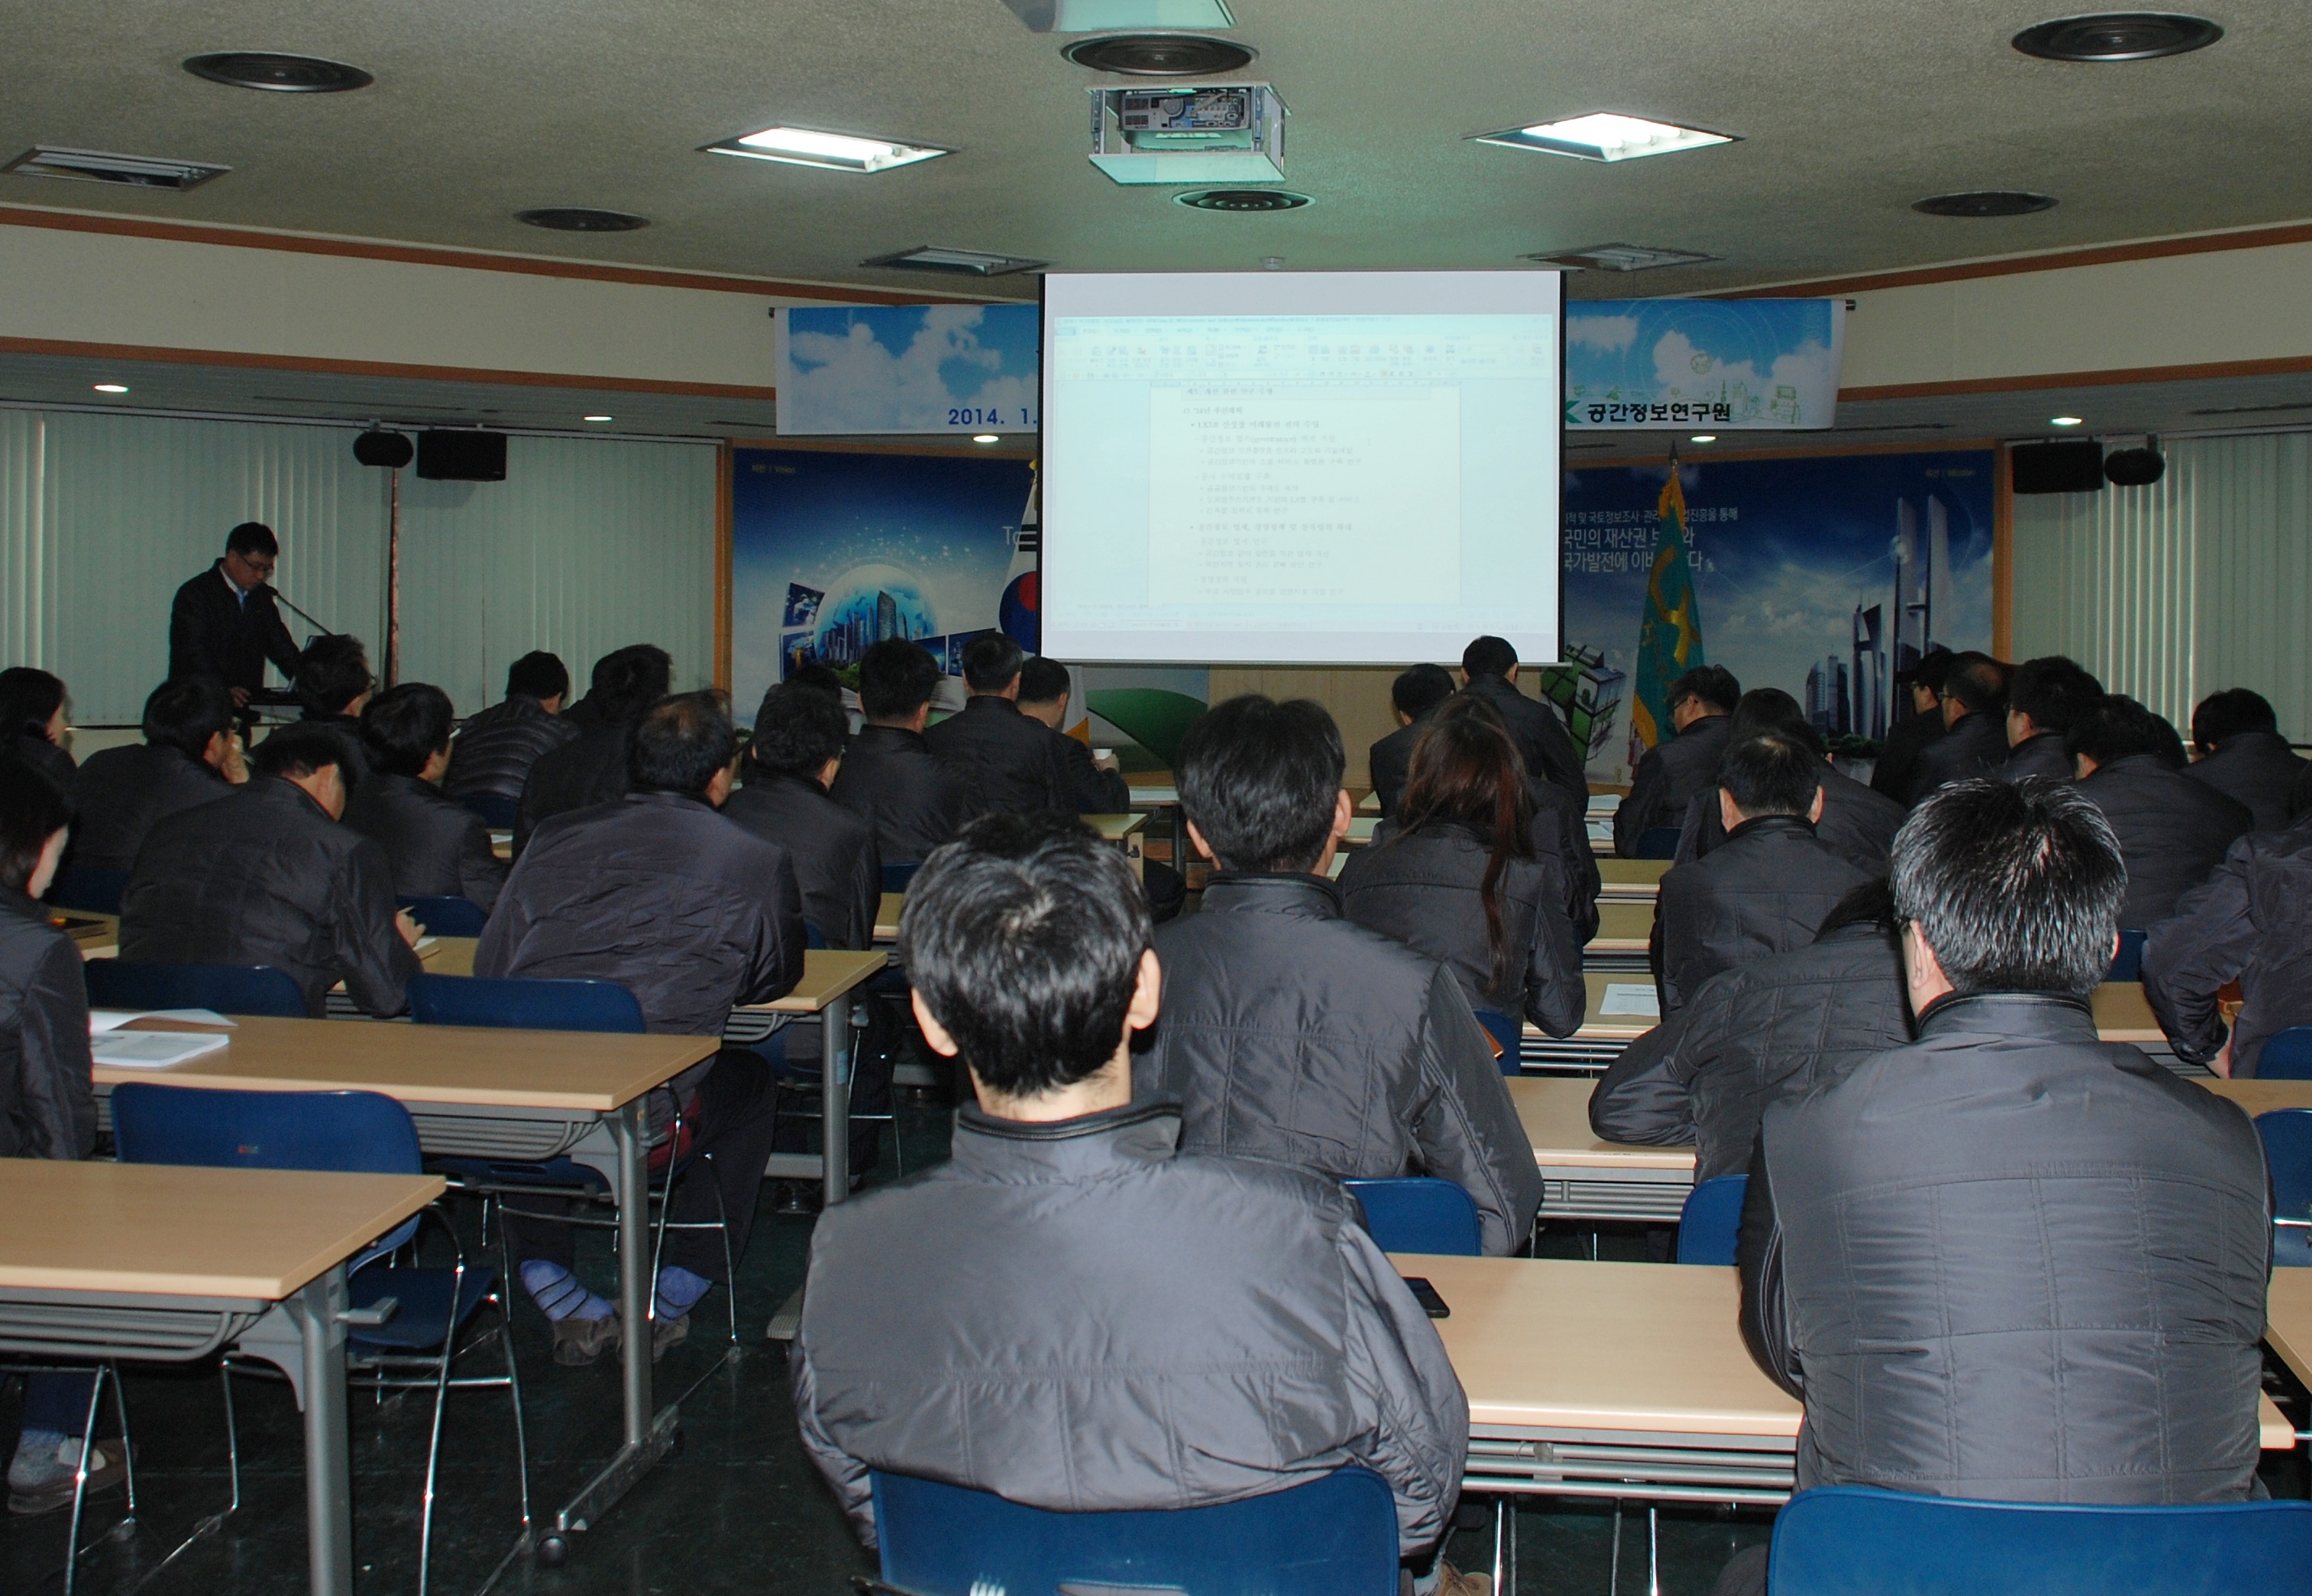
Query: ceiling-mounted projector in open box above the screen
point(1194, 133)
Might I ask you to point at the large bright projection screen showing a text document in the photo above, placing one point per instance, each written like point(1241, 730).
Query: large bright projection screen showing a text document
point(1300, 468)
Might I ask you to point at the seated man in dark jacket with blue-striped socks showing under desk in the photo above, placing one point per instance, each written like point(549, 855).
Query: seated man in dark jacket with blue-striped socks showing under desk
point(692, 915)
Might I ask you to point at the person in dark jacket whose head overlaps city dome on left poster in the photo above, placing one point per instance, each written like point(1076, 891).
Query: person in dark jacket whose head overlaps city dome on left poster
point(891, 778)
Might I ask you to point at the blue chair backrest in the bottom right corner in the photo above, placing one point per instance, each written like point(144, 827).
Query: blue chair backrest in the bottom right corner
point(1848, 1539)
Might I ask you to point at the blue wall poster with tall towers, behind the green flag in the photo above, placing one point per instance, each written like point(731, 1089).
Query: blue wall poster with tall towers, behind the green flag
point(1821, 577)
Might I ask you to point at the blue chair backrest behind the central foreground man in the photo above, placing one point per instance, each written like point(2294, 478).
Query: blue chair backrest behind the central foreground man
point(1333, 1537)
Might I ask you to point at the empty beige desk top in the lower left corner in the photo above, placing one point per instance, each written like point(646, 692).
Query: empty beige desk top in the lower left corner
point(191, 1232)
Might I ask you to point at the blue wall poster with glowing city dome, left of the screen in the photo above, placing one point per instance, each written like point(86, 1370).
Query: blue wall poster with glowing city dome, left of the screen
point(838, 552)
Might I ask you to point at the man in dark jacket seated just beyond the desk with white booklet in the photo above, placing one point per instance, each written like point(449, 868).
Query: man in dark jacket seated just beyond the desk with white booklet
point(269, 878)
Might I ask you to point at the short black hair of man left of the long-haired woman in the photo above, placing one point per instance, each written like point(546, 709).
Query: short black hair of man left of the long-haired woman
point(1261, 781)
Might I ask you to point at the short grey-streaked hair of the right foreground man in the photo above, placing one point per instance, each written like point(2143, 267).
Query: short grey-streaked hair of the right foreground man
point(2017, 889)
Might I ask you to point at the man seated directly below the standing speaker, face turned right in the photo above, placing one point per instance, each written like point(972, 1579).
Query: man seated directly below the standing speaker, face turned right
point(188, 758)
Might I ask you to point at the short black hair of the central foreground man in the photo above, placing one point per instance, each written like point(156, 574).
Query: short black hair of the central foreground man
point(1023, 938)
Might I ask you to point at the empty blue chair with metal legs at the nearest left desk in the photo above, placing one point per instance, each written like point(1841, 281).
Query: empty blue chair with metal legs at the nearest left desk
point(362, 1132)
